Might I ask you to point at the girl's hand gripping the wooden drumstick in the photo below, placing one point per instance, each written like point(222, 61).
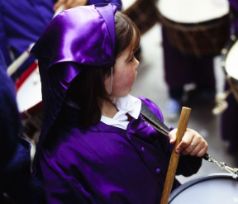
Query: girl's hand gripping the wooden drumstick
point(192, 143)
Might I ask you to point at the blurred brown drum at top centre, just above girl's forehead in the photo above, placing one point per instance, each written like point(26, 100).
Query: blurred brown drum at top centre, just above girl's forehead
point(144, 13)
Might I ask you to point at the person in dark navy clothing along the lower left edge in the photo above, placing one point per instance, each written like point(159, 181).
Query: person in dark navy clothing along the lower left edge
point(15, 176)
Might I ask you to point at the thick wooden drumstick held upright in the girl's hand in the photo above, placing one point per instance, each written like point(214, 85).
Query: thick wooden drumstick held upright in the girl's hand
point(174, 159)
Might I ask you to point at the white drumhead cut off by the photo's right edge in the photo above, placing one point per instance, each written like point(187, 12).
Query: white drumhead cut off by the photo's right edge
point(231, 63)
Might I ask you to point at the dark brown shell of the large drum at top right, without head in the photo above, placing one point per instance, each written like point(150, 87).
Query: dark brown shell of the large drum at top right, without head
point(200, 39)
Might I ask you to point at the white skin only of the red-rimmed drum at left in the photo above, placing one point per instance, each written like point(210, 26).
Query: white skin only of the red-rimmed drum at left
point(29, 93)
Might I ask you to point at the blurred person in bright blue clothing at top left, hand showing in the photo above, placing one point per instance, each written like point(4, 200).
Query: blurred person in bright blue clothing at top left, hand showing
point(22, 22)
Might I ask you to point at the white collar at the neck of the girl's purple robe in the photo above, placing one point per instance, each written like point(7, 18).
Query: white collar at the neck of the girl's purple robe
point(125, 105)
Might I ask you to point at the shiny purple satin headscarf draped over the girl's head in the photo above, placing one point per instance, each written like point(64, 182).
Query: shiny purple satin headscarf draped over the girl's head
point(83, 35)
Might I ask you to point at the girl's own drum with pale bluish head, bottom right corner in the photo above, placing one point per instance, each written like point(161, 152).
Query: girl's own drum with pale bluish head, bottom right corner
point(214, 189)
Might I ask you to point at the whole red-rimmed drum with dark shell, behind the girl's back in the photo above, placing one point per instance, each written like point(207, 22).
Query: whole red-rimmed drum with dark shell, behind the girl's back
point(29, 100)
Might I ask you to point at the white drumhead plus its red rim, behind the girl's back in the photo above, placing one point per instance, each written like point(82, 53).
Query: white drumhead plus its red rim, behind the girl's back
point(29, 89)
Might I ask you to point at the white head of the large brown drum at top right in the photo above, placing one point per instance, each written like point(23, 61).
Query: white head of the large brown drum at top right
point(193, 11)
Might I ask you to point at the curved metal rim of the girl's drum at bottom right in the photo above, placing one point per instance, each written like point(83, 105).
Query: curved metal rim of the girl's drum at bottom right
point(192, 182)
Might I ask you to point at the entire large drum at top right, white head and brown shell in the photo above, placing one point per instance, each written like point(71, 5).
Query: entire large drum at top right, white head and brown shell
point(196, 27)
